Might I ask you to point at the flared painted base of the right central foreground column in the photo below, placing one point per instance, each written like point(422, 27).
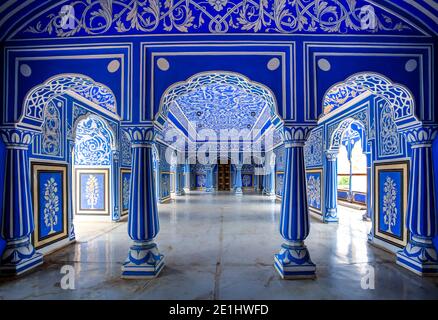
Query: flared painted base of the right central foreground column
point(293, 262)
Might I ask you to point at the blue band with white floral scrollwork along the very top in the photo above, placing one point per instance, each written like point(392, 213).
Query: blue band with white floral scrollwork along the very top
point(279, 16)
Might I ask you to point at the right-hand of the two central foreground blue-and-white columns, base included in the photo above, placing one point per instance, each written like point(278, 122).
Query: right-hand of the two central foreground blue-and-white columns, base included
point(293, 261)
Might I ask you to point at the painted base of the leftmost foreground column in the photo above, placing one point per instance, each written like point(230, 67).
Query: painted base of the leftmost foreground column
point(19, 257)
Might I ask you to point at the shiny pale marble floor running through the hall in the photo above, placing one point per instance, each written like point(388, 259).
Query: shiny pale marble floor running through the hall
point(219, 246)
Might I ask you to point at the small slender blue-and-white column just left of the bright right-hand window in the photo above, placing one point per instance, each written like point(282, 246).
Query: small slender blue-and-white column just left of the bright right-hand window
point(331, 187)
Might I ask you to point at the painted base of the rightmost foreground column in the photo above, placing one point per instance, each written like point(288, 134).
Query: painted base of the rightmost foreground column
point(419, 256)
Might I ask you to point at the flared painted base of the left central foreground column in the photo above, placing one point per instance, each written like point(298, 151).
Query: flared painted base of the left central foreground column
point(144, 261)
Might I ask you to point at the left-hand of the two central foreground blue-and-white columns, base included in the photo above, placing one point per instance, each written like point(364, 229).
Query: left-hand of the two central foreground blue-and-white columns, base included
point(144, 260)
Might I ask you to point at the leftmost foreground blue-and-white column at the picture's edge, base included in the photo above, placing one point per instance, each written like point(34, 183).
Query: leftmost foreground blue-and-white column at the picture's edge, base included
point(17, 222)
